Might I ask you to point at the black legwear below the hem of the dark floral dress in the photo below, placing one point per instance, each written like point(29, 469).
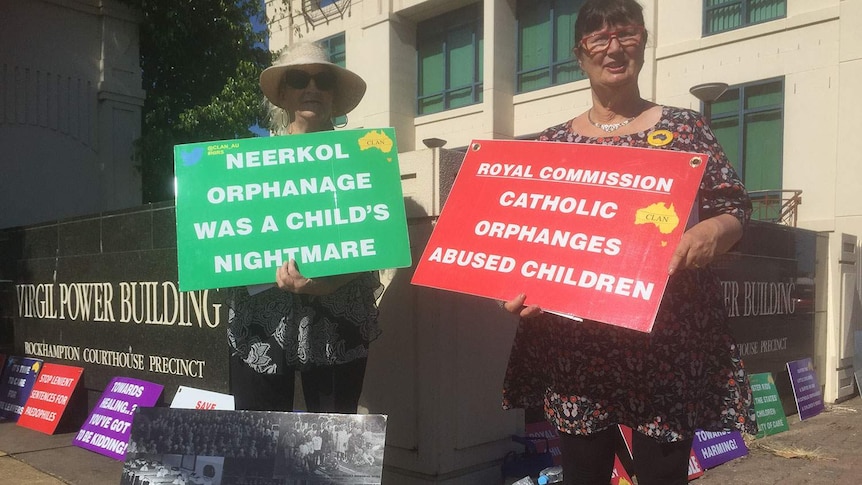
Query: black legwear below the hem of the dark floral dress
point(589, 460)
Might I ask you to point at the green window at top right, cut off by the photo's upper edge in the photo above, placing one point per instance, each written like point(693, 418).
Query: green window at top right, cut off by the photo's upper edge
point(724, 15)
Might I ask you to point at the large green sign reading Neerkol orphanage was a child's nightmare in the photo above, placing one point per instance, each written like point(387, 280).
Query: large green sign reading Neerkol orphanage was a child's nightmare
point(331, 201)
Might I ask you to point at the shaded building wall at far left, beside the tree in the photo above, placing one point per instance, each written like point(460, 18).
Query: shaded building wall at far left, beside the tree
point(70, 109)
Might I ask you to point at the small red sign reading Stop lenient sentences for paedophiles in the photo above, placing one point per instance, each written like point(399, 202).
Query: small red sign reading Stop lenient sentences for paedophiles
point(49, 397)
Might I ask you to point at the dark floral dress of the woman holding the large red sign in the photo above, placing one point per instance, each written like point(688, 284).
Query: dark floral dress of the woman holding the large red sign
point(686, 374)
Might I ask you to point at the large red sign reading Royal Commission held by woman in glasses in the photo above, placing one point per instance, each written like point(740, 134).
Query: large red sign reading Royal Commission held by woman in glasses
point(584, 230)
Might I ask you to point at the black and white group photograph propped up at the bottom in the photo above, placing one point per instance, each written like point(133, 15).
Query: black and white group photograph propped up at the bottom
point(192, 447)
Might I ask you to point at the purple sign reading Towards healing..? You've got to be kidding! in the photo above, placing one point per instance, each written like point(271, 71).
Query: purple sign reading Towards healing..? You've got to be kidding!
point(108, 427)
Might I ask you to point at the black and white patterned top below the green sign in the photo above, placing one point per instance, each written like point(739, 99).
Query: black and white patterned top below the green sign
point(275, 330)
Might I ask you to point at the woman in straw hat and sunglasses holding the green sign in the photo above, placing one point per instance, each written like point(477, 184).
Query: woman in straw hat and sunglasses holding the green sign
point(322, 326)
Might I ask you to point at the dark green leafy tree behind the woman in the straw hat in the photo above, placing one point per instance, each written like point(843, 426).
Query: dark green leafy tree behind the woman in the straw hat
point(201, 60)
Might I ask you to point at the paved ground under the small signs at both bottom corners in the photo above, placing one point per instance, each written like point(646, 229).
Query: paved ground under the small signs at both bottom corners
point(825, 449)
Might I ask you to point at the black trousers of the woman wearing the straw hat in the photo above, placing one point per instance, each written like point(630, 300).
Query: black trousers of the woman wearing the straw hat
point(327, 389)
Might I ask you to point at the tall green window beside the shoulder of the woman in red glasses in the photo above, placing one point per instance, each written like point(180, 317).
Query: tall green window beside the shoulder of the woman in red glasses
point(749, 123)
